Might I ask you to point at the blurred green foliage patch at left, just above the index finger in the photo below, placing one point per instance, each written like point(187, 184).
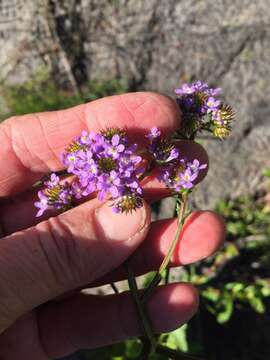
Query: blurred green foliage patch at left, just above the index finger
point(42, 94)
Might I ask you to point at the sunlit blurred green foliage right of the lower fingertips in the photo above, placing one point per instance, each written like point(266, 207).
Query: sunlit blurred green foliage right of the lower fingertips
point(238, 275)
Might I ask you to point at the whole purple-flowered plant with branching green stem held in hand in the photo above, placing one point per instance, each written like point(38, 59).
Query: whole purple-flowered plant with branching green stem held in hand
point(105, 164)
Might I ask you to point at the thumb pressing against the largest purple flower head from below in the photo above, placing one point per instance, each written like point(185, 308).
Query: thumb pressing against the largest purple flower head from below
point(64, 253)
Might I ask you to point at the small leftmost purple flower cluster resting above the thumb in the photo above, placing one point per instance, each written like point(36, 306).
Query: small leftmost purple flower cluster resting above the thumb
point(54, 196)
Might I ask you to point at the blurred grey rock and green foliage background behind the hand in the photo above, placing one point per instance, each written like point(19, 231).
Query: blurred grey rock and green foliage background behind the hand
point(55, 54)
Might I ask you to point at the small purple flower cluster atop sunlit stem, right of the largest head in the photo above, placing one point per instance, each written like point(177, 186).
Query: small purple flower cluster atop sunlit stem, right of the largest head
point(177, 173)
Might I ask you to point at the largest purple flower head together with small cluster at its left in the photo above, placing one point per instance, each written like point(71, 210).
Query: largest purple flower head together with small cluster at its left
point(102, 163)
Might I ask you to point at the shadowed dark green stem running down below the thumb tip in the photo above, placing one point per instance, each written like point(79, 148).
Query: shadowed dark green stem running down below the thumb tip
point(146, 327)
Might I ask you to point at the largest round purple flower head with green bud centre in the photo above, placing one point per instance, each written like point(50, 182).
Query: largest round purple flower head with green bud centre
point(106, 166)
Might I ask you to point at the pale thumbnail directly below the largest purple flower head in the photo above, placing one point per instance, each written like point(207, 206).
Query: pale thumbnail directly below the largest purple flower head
point(119, 227)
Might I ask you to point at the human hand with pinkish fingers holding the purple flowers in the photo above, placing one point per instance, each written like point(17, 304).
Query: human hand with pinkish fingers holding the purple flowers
point(42, 259)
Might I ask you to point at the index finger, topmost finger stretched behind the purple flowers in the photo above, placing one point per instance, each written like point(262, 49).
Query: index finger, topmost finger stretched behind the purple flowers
point(32, 144)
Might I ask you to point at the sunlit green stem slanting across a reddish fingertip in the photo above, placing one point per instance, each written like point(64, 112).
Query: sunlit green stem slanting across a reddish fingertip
point(157, 278)
